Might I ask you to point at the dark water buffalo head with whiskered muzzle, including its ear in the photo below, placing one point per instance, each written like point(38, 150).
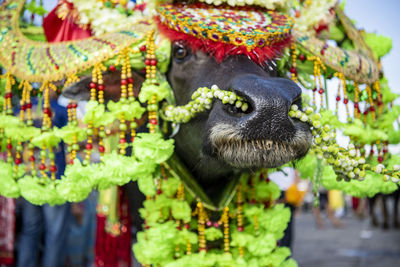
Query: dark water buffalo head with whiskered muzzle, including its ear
point(216, 143)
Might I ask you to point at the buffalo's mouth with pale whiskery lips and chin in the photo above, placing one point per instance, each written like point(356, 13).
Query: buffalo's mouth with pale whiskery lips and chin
point(230, 145)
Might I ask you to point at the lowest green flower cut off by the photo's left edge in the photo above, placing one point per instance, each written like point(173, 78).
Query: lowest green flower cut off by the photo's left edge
point(8, 185)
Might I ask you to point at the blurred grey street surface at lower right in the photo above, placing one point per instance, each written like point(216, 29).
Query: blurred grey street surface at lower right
point(356, 244)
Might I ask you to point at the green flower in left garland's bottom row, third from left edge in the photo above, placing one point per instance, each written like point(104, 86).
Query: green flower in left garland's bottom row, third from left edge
point(76, 183)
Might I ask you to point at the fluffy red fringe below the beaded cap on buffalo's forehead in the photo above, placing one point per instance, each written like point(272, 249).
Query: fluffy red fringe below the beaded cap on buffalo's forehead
point(221, 50)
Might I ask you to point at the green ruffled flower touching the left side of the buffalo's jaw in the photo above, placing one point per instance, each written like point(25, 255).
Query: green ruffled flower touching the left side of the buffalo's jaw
point(153, 147)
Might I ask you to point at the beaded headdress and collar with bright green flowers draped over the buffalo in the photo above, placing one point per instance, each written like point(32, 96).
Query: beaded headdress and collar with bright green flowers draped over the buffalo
point(180, 224)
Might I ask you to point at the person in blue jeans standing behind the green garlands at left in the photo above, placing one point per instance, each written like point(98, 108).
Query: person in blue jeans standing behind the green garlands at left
point(50, 221)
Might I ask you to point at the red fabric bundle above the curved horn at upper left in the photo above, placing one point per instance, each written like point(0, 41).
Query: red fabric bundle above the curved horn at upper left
point(57, 29)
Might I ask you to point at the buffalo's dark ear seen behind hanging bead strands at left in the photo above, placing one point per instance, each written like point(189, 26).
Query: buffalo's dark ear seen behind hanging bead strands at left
point(112, 87)
